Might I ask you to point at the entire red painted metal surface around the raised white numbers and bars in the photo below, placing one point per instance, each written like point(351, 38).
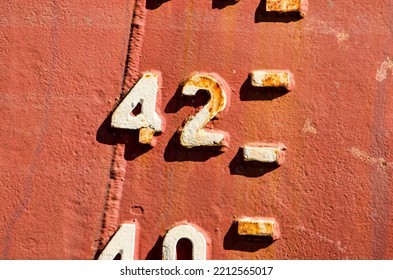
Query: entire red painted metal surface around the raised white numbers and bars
point(69, 179)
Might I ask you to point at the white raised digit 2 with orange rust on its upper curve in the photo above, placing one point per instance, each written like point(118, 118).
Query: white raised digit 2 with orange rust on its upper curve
point(193, 134)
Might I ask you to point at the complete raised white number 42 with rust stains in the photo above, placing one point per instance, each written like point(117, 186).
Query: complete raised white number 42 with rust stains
point(144, 94)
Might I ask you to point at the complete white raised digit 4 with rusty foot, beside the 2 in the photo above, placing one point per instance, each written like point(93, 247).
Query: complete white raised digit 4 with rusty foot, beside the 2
point(148, 121)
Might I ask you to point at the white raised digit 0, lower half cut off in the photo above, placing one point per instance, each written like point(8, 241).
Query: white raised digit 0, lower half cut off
point(184, 231)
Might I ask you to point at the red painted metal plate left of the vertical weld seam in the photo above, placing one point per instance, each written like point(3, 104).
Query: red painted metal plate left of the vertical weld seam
point(62, 64)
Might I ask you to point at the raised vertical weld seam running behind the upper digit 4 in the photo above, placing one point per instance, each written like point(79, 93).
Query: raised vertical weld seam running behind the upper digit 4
point(110, 220)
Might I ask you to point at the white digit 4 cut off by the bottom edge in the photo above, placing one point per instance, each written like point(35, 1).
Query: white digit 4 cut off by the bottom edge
point(123, 243)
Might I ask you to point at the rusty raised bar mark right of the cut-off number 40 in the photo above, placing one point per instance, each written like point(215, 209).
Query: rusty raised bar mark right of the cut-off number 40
point(258, 227)
